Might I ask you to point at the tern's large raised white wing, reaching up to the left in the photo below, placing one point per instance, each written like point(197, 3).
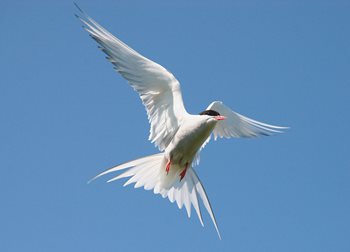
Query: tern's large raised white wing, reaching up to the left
point(158, 88)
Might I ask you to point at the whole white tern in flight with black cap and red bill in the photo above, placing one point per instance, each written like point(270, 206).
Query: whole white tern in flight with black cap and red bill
point(180, 136)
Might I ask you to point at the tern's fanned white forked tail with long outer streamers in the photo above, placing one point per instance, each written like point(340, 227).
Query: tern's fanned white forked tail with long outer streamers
point(149, 172)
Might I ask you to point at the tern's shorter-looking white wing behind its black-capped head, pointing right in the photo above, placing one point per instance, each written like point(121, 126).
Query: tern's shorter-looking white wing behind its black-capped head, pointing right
point(236, 125)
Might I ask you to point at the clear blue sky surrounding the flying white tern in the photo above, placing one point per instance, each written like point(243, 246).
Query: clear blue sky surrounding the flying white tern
point(66, 116)
